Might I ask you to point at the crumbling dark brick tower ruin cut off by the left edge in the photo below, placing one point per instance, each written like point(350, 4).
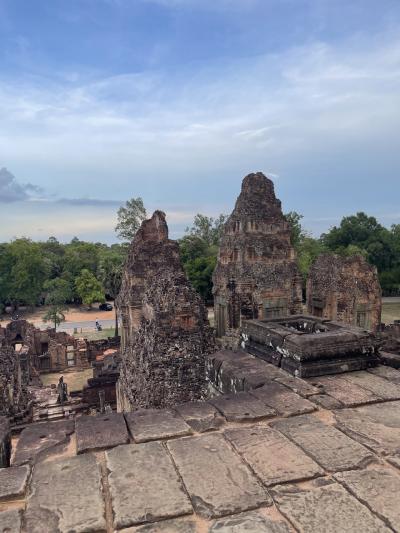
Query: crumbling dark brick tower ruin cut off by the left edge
point(13, 387)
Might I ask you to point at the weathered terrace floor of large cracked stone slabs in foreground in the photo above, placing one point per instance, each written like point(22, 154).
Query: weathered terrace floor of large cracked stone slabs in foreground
point(288, 455)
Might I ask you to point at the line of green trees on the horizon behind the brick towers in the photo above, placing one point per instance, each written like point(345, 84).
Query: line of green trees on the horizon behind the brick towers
point(57, 274)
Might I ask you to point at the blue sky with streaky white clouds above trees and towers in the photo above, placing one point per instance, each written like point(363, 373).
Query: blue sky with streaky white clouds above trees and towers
point(176, 101)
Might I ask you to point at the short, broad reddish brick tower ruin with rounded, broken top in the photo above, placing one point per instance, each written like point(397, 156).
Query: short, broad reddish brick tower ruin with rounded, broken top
point(345, 289)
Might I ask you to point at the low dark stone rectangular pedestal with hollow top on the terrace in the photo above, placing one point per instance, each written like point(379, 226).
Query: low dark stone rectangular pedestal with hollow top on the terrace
point(307, 346)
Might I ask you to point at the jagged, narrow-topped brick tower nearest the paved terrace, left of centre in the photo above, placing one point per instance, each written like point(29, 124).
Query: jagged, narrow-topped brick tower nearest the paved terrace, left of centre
point(165, 331)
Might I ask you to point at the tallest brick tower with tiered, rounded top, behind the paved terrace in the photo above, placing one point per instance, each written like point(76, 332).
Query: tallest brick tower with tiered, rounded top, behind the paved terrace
point(256, 274)
